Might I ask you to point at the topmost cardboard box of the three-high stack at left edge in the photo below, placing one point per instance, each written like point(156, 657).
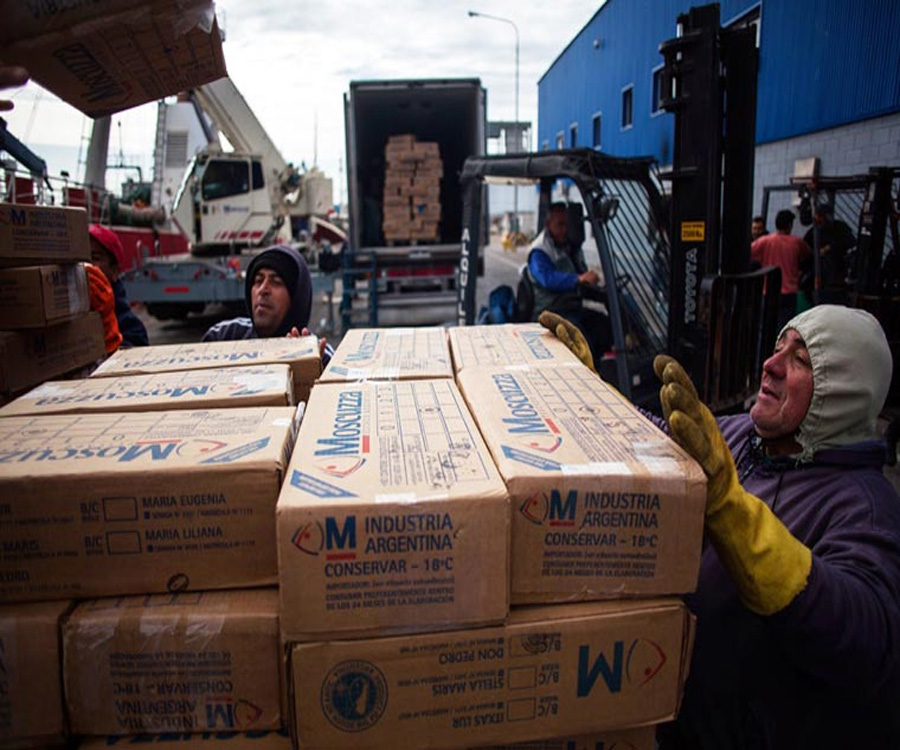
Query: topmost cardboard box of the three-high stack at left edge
point(42, 234)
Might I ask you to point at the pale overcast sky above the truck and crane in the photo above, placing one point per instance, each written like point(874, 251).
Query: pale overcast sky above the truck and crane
point(293, 62)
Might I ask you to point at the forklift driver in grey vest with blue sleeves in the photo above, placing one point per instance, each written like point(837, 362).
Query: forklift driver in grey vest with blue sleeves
point(561, 280)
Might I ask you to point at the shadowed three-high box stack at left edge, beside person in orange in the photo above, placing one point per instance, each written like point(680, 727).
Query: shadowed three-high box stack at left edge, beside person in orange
point(47, 327)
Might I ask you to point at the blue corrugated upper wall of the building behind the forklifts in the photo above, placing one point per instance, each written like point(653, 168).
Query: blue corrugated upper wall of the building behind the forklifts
point(823, 63)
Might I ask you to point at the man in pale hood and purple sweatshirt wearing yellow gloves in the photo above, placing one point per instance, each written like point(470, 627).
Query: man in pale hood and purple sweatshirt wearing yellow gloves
point(798, 597)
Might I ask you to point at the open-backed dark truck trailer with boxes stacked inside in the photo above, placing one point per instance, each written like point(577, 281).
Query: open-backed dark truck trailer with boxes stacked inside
point(387, 124)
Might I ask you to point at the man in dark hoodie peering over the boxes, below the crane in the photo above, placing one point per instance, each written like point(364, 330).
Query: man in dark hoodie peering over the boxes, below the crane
point(278, 294)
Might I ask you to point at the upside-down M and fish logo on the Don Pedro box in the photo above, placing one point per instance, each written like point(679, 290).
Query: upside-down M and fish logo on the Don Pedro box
point(644, 661)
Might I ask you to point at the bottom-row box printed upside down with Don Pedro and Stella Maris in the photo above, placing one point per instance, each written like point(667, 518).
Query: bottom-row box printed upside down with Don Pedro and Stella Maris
point(551, 671)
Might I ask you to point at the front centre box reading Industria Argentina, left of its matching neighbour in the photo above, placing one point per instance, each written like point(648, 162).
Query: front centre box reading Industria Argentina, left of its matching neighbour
point(393, 518)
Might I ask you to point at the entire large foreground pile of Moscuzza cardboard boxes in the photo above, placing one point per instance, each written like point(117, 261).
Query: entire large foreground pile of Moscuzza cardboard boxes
point(476, 544)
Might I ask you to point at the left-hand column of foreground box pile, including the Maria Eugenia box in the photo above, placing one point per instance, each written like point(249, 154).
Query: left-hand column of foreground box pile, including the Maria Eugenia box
point(143, 512)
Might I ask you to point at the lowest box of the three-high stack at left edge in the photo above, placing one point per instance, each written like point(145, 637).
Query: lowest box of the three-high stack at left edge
point(32, 356)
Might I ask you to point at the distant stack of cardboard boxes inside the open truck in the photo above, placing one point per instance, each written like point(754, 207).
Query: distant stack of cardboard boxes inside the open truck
point(412, 190)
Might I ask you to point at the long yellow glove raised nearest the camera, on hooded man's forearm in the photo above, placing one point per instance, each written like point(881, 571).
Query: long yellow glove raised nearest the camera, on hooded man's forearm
point(767, 564)
